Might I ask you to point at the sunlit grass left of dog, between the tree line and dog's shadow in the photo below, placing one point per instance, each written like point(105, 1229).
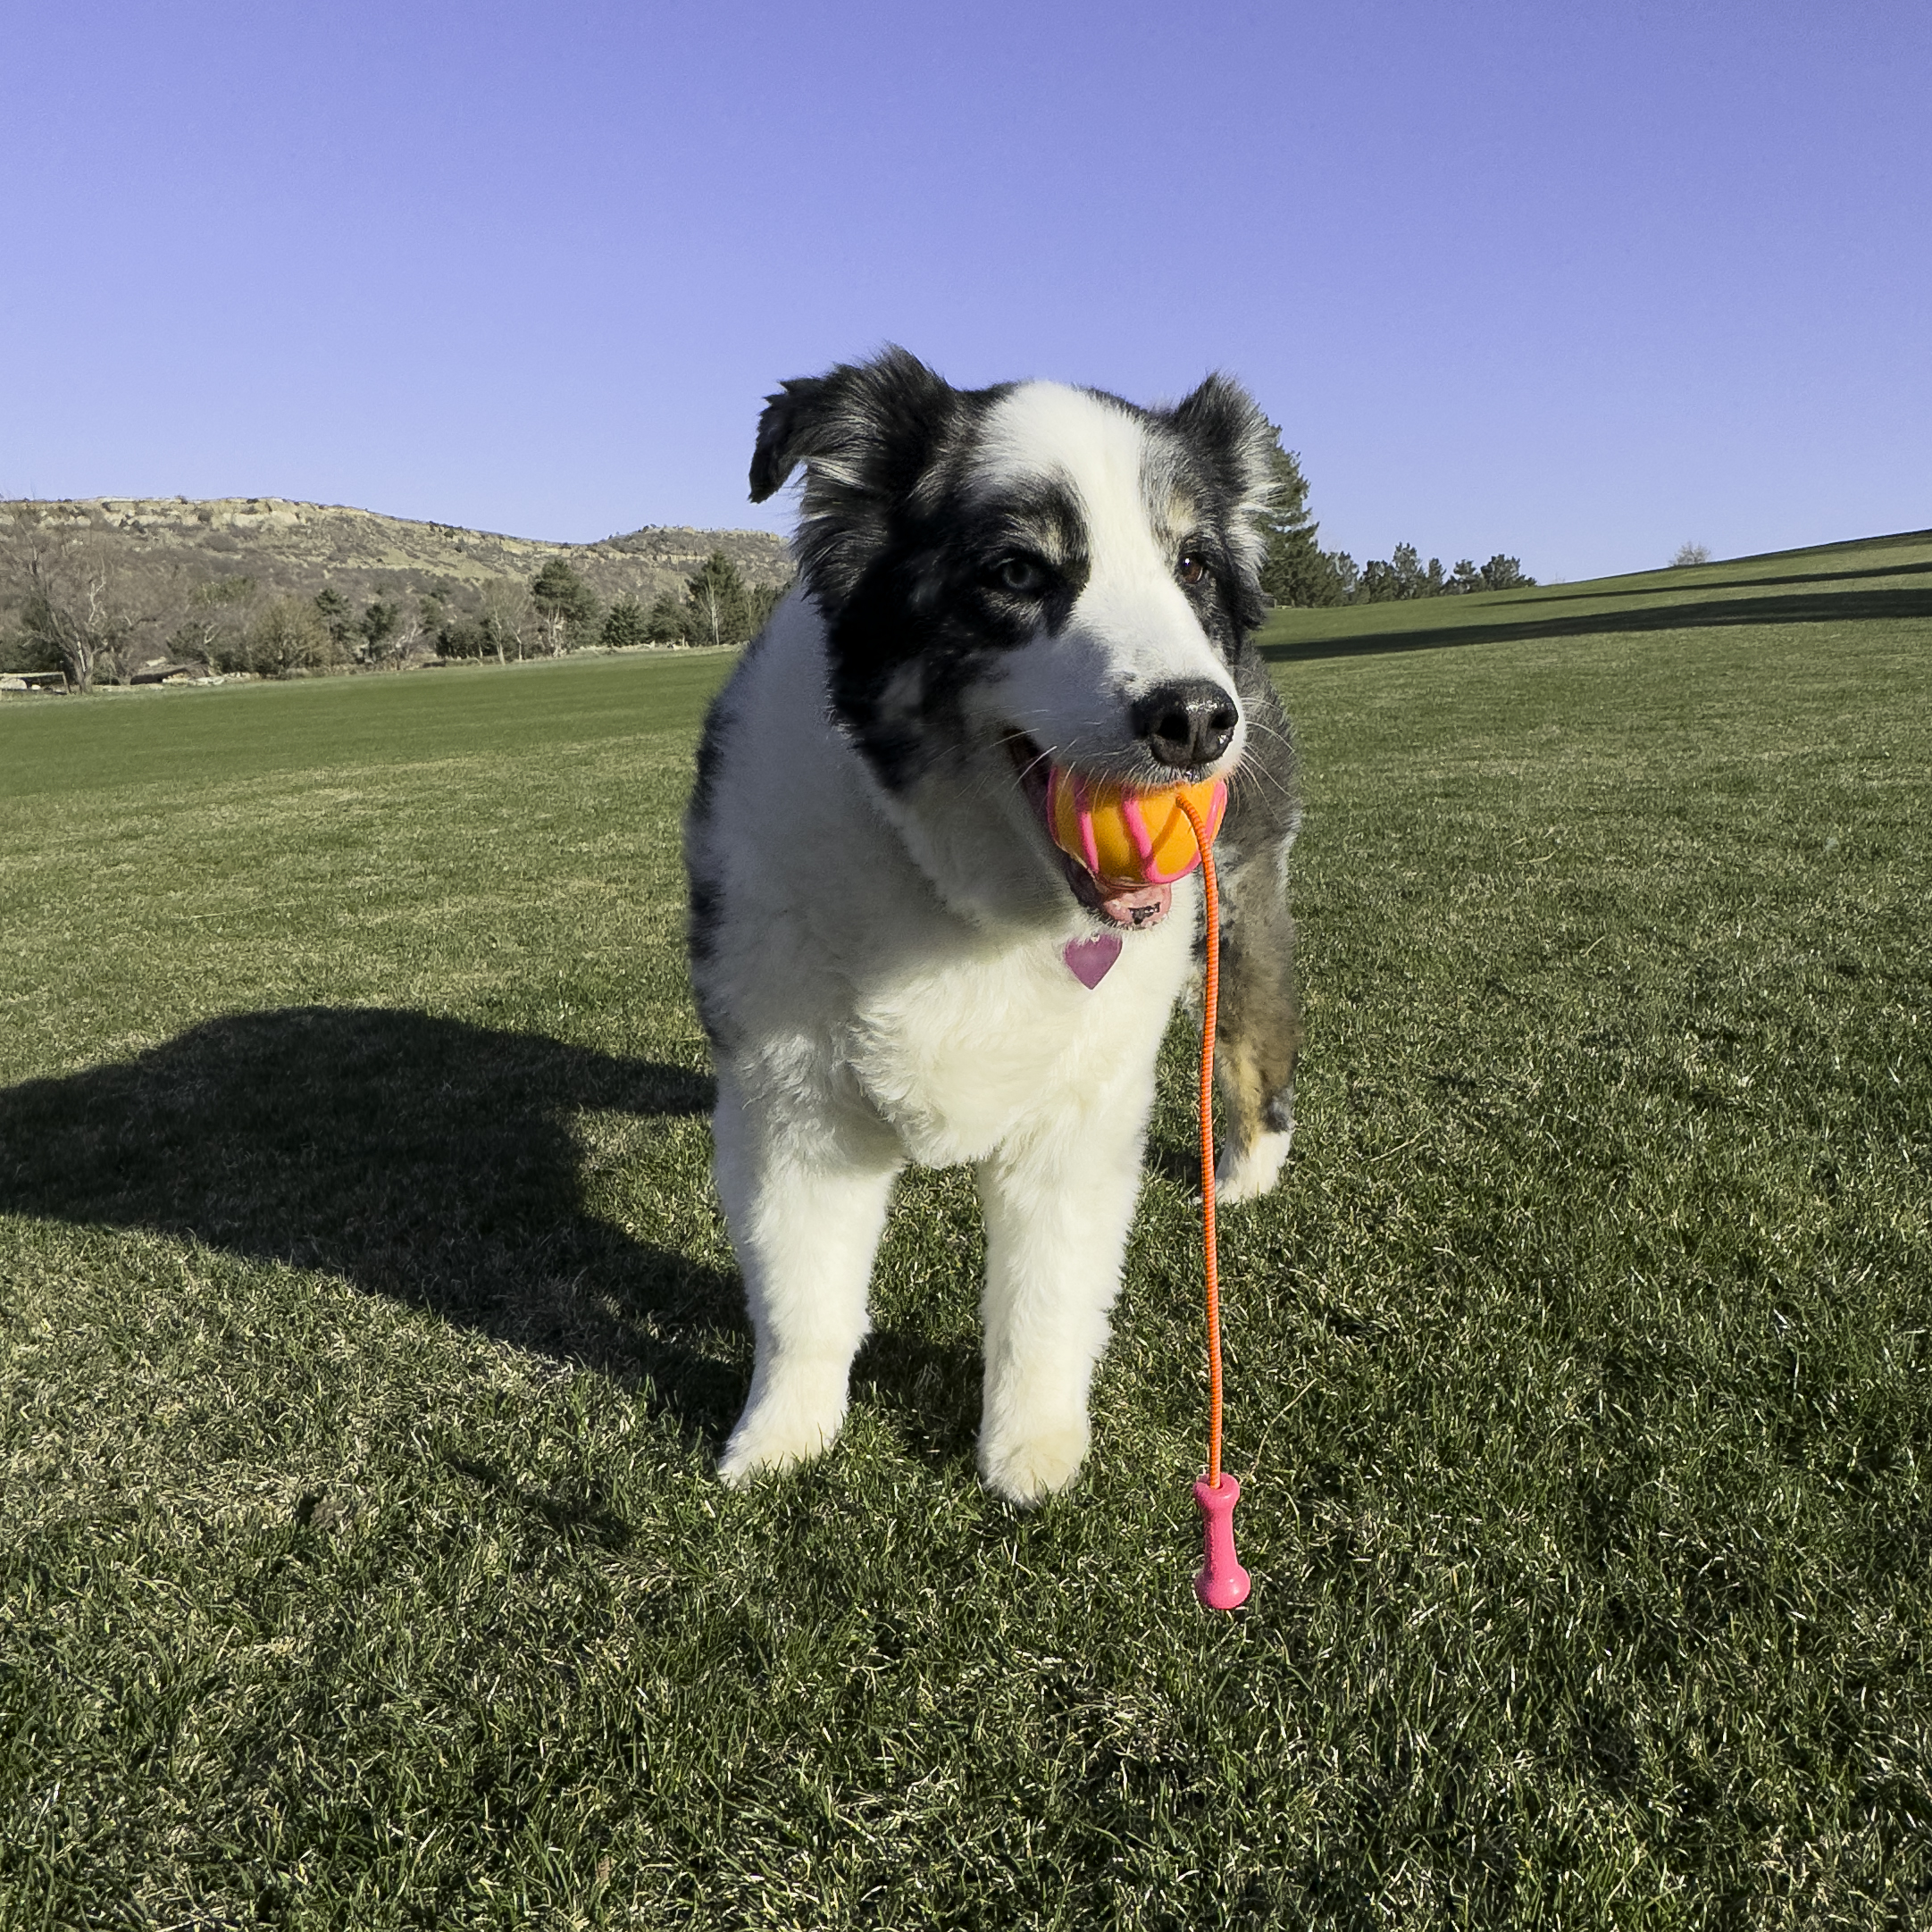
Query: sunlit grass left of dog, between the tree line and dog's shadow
point(351, 841)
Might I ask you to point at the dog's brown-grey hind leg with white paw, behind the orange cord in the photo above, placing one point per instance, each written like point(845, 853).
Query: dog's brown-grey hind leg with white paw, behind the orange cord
point(1259, 1033)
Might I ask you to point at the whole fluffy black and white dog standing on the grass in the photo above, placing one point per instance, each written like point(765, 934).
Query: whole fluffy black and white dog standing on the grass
point(886, 938)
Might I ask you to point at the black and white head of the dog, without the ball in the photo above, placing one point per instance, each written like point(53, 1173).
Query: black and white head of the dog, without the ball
point(1023, 577)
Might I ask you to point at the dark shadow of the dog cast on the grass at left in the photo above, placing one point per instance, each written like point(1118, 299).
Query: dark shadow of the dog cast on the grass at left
point(420, 1158)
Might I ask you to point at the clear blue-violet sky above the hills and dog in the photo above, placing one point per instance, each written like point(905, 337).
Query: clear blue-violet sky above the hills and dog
point(1568, 281)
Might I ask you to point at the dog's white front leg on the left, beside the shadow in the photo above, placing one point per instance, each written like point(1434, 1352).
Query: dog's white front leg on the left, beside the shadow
point(805, 1214)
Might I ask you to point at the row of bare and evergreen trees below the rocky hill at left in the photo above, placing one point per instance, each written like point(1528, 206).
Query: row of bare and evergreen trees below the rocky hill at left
point(80, 613)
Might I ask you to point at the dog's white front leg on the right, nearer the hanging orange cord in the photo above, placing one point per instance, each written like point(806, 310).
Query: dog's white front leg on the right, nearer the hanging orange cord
point(1058, 1208)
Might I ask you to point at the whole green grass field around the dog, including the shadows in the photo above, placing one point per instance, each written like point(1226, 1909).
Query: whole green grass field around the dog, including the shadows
point(368, 1330)
